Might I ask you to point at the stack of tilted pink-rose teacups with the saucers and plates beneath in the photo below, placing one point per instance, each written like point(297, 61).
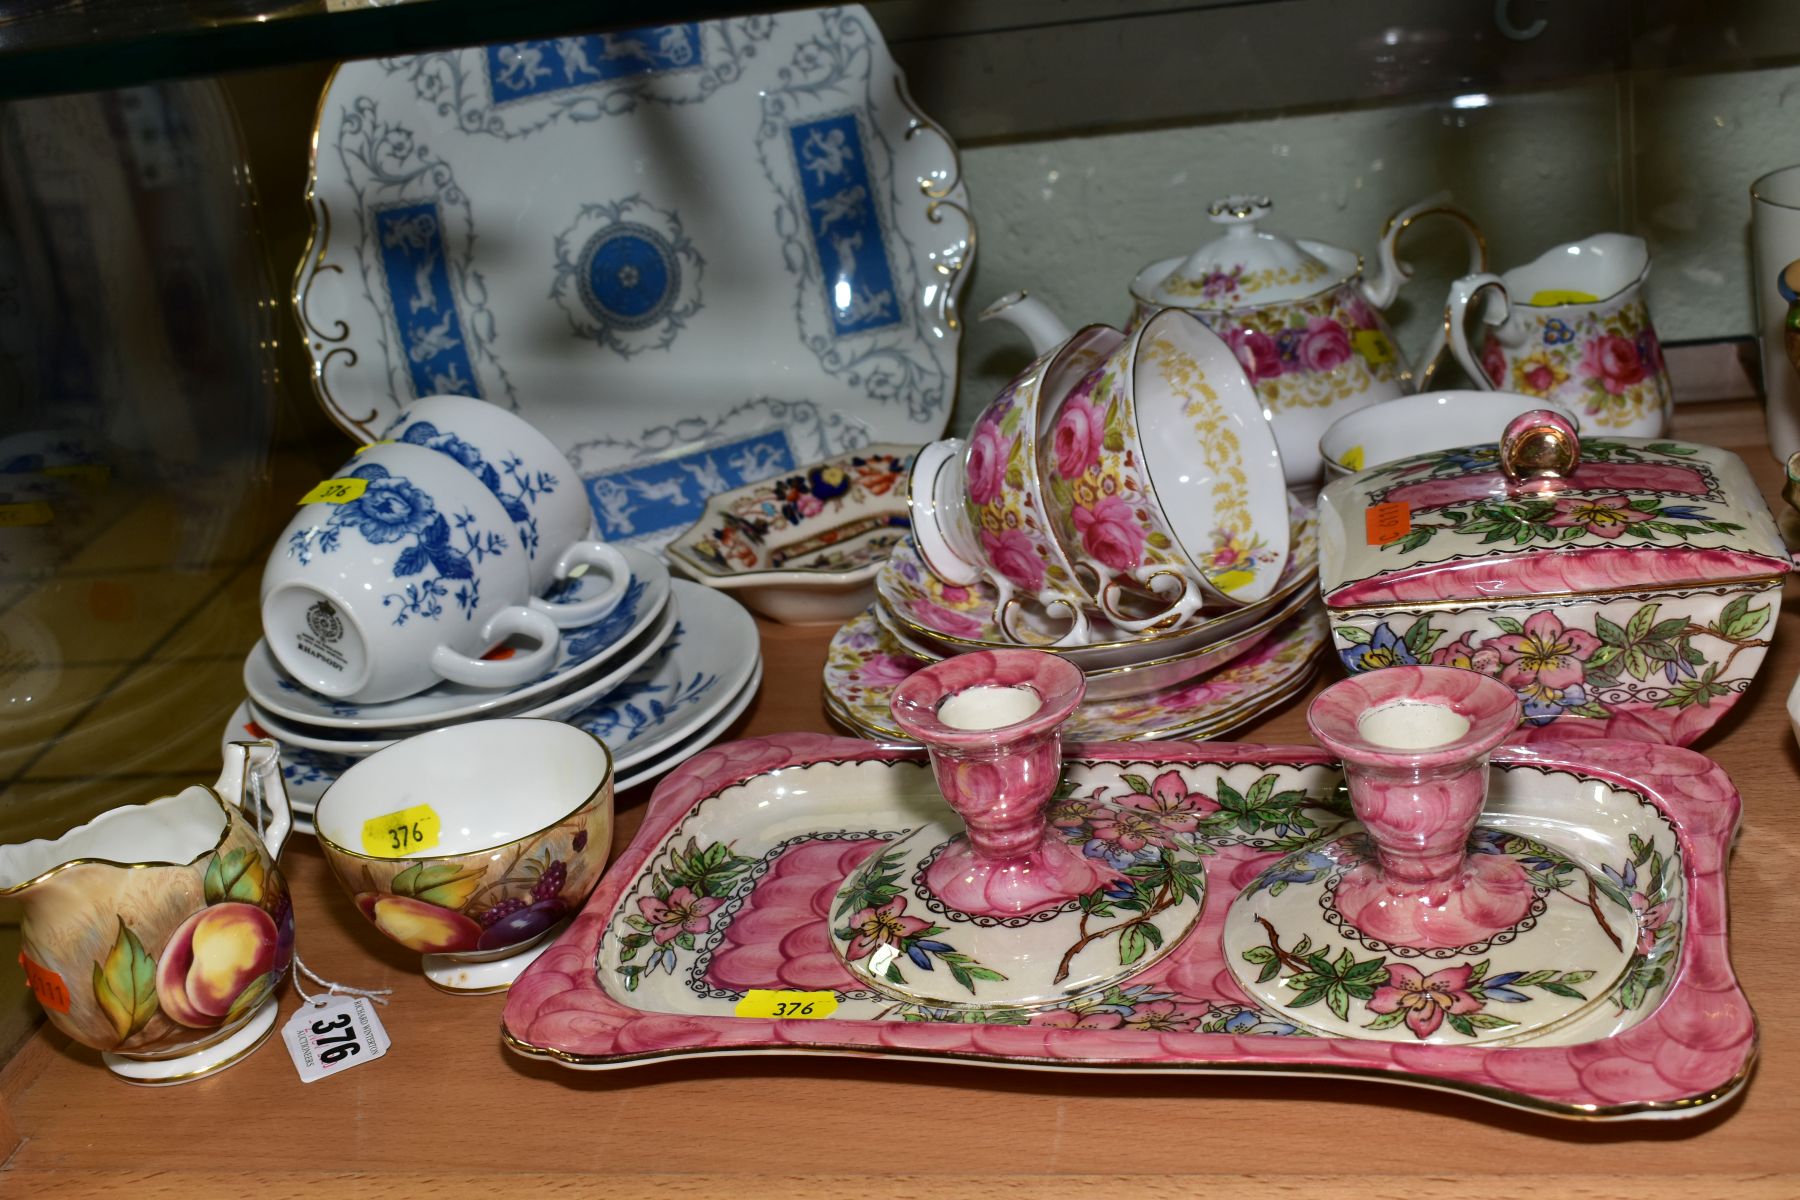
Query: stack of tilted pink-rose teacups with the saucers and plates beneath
point(1120, 503)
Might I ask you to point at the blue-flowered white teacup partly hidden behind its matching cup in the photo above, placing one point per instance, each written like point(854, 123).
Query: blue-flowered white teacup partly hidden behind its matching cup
point(535, 485)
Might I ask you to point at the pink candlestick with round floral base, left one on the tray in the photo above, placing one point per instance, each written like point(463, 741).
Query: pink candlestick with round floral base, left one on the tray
point(1036, 895)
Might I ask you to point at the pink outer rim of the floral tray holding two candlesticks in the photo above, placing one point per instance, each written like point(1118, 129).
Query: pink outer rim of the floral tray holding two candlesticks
point(1687, 1057)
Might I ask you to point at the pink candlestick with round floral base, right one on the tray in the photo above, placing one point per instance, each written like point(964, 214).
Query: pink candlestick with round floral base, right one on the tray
point(1448, 931)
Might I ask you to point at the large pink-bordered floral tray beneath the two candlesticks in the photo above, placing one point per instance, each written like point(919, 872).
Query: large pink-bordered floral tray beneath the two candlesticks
point(726, 891)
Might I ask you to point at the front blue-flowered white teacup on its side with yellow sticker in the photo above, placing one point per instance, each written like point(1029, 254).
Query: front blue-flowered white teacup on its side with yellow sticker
point(404, 580)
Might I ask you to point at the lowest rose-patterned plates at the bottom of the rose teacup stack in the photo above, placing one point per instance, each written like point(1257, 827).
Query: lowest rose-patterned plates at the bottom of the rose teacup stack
point(865, 663)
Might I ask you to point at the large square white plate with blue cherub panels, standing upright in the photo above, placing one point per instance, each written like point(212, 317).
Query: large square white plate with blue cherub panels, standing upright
point(696, 256)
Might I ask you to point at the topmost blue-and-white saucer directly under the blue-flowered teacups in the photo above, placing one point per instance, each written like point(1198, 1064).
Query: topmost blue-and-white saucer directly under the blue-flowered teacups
point(582, 652)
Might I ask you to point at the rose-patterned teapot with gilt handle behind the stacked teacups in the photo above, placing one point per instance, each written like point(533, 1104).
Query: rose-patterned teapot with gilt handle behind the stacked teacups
point(1304, 321)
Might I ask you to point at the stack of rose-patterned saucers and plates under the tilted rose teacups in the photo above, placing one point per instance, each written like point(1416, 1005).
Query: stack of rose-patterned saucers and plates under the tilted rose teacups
point(1194, 681)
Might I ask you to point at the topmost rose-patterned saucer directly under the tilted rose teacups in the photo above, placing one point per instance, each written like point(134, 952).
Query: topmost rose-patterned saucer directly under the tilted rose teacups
point(953, 620)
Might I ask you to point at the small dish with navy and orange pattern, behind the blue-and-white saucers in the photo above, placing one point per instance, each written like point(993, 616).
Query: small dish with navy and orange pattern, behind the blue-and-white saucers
point(804, 548)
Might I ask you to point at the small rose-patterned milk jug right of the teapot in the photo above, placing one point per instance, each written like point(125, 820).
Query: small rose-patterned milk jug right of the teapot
point(1572, 328)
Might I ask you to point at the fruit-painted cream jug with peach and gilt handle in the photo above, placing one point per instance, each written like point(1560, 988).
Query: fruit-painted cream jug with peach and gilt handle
point(161, 933)
